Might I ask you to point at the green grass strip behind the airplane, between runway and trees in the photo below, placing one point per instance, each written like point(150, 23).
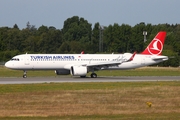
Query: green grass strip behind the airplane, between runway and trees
point(145, 71)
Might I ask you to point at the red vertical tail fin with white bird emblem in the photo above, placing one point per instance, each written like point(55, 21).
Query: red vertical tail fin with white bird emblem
point(156, 45)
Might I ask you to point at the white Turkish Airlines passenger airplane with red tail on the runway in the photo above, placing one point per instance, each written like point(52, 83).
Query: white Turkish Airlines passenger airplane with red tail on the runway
point(81, 64)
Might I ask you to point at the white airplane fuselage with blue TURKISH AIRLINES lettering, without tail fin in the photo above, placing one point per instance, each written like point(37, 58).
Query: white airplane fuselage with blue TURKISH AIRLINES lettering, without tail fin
point(65, 61)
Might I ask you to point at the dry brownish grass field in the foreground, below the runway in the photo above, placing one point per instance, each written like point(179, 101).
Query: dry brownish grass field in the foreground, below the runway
point(91, 101)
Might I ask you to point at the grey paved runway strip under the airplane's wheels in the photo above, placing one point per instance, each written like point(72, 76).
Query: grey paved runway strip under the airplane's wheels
point(31, 80)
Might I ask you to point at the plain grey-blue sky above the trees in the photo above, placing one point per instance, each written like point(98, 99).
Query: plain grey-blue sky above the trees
point(106, 12)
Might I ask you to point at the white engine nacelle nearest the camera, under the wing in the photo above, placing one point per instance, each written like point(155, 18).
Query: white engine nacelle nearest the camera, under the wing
point(79, 70)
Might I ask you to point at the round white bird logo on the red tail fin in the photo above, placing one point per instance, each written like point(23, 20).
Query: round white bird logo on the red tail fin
point(156, 47)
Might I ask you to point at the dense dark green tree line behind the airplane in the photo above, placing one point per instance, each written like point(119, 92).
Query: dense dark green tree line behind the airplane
point(78, 34)
